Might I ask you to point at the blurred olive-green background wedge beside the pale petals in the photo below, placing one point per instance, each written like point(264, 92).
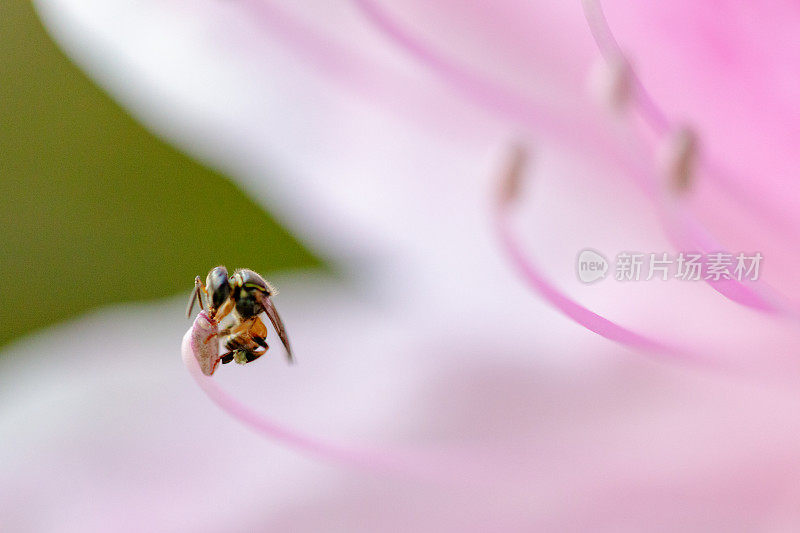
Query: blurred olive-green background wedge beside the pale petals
point(93, 208)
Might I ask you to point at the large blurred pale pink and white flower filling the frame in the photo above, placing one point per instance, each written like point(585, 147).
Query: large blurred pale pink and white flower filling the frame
point(377, 135)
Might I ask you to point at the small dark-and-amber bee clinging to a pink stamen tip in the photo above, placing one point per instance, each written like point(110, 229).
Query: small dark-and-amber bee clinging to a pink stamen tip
point(242, 297)
